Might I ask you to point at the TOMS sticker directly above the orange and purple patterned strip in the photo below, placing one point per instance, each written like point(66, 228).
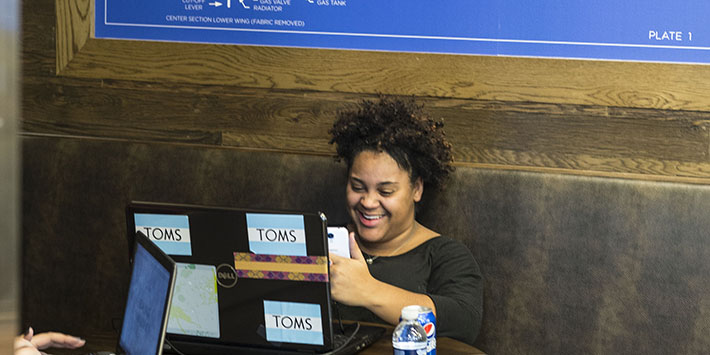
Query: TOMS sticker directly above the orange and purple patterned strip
point(276, 234)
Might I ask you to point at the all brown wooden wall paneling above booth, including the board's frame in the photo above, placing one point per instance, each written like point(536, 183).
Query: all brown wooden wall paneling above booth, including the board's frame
point(580, 117)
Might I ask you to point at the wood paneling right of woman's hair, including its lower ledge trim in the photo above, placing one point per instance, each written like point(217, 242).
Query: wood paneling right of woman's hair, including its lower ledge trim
point(602, 141)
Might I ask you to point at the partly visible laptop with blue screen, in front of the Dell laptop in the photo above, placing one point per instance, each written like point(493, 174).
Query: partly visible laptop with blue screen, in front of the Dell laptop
point(150, 291)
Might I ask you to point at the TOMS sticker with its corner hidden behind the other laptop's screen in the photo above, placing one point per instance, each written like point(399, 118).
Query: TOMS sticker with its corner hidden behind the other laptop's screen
point(171, 233)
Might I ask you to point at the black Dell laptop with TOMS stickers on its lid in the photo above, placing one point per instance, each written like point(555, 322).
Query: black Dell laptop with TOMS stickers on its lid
point(248, 281)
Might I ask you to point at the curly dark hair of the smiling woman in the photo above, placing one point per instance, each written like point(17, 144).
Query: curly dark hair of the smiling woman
point(400, 128)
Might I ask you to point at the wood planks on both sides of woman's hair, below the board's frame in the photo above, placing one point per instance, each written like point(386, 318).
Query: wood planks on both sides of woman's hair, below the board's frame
point(535, 135)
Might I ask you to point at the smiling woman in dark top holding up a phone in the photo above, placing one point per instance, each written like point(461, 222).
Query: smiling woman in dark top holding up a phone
point(393, 152)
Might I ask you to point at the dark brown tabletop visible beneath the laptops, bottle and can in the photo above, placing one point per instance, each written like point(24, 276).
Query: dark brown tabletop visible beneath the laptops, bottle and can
point(444, 346)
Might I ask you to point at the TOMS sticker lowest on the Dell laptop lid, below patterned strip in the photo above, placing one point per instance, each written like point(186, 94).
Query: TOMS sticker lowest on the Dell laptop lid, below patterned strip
point(293, 322)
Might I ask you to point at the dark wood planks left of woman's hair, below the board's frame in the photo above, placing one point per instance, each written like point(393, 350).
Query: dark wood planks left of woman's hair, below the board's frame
point(221, 116)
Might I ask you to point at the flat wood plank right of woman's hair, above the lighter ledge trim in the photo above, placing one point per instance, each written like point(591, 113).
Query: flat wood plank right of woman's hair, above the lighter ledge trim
point(673, 138)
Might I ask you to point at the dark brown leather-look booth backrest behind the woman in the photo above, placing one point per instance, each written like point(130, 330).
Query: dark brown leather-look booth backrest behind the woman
point(572, 265)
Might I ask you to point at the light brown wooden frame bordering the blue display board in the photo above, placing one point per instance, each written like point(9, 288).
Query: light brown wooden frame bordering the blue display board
point(641, 85)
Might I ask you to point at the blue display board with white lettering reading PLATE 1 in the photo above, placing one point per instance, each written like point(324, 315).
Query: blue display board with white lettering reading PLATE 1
point(650, 30)
